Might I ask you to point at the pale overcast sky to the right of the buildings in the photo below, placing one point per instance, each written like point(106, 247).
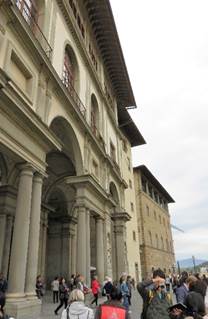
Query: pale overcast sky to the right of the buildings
point(165, 44)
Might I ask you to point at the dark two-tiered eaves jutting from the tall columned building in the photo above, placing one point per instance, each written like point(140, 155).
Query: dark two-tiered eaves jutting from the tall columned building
point(103, 25)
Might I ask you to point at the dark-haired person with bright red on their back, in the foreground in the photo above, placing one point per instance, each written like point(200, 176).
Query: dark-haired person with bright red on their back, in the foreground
point(113, 307)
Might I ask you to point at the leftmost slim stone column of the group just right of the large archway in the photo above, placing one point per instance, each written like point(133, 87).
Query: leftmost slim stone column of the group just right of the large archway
point(81, 241)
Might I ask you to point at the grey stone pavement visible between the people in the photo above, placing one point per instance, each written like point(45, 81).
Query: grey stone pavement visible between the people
point(48, 307)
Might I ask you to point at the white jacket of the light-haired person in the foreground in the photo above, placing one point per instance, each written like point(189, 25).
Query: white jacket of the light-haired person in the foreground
point(78, 310)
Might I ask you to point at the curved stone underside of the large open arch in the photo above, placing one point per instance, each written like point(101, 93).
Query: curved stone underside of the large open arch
point(64, 131)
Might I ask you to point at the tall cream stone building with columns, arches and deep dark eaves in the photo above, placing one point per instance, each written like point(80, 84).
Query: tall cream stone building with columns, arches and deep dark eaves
point(66, 180)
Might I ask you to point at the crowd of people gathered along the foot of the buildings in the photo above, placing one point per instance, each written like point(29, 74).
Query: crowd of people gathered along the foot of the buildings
point(164, 297)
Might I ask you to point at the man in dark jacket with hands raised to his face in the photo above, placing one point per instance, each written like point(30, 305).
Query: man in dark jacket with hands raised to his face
point(155, 300)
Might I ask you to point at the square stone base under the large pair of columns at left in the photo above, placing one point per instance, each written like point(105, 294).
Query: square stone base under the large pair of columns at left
point(23, 309)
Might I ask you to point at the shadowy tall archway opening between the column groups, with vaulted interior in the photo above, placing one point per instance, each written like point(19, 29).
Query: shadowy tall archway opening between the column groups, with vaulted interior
point(57, 244)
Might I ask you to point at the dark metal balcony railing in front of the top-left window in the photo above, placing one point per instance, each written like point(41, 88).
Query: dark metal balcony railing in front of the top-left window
point(30, 14)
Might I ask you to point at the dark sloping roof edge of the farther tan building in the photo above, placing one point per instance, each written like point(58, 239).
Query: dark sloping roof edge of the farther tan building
point(150, 177)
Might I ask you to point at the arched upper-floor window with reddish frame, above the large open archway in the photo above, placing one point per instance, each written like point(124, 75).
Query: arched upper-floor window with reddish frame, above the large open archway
point(70, 72)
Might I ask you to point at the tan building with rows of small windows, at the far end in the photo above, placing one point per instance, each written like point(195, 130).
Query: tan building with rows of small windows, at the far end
point(154, 228)
